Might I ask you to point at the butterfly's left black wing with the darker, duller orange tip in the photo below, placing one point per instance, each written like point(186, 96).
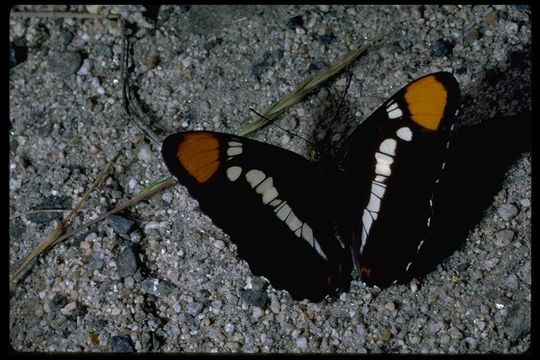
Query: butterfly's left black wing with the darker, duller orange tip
point(272, 202)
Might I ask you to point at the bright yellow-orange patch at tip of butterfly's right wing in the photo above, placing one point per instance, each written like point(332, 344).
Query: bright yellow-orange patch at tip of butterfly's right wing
point(426, 99)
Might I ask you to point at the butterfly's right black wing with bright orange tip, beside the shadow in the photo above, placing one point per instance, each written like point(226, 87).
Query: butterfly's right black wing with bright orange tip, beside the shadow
point(392, 163)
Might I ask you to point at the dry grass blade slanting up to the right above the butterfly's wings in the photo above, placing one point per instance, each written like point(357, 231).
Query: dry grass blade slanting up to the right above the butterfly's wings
point(300, 92)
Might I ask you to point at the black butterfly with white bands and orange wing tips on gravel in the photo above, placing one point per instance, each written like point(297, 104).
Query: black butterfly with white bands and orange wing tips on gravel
point(304, 225)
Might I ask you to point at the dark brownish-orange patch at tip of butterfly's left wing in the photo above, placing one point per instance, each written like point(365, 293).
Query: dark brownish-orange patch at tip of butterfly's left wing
point(199, 155)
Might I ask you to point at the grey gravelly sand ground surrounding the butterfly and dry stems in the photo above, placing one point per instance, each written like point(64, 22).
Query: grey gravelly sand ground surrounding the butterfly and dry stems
point(161, 277)
